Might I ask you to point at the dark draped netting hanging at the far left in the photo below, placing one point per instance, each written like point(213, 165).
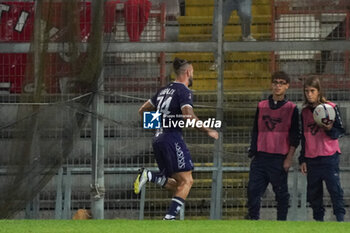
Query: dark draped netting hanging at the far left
point(43, 128)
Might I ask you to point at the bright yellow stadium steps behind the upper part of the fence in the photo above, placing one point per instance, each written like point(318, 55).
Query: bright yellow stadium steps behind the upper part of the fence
point(196, 26)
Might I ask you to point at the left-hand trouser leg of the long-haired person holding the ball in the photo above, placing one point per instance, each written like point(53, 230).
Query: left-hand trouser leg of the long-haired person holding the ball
point(315, 191)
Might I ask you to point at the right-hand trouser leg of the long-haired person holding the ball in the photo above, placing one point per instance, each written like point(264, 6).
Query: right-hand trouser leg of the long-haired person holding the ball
point(332, 180)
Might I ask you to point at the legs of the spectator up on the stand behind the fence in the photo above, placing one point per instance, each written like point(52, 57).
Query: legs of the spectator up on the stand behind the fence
point(244, 11)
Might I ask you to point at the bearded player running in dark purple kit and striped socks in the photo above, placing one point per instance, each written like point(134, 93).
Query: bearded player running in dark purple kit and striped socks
point(172, 156)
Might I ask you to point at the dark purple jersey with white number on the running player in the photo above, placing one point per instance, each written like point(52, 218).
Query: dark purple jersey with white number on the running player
point(169, 100)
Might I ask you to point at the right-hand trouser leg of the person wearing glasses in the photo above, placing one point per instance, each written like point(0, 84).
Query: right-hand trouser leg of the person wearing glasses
point(279, 181)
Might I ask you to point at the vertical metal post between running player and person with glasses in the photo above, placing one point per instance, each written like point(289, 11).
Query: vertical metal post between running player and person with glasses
point(215, 207)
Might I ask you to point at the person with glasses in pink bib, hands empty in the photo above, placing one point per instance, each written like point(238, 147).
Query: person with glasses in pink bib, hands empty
point(275, 136)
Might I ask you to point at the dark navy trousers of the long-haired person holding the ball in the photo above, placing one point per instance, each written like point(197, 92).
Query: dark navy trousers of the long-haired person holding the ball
point(325, 168)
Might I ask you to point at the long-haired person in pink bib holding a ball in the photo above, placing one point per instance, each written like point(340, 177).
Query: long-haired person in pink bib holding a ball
point(319, 156)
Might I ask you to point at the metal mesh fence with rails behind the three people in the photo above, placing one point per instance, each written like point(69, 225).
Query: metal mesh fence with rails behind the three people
point(298, 36)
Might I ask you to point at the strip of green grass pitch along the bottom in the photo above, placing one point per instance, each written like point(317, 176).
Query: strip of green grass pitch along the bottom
point(159, 226)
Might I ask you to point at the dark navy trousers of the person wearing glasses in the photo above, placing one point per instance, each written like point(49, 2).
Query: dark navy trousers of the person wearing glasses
point(265, 170)
